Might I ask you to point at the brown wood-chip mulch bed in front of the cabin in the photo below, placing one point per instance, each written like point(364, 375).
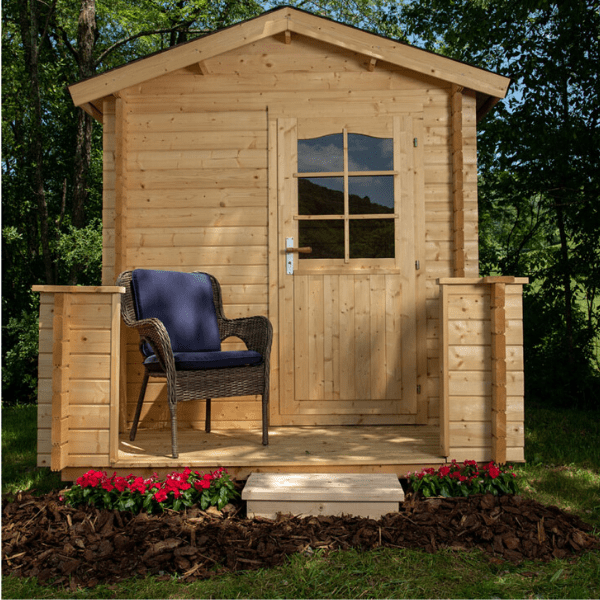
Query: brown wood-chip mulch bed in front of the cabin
point(85, 546)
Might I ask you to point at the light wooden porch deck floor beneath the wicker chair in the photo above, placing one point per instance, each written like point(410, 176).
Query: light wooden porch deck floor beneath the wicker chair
point(384, 449)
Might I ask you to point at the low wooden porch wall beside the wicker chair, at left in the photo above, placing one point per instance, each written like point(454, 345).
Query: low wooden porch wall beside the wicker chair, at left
point(77, 374)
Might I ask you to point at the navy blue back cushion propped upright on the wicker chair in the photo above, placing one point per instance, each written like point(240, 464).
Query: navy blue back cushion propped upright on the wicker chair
point(183, 302)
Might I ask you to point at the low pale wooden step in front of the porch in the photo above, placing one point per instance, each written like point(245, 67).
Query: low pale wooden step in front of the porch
point(362, 495)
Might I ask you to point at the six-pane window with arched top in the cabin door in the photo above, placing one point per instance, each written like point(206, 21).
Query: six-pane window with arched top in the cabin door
point(361, 163)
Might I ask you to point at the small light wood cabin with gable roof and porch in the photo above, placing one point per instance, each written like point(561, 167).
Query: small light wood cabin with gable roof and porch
point(390, 351)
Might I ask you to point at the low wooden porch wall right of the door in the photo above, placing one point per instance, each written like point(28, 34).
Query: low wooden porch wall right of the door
point(482, 376)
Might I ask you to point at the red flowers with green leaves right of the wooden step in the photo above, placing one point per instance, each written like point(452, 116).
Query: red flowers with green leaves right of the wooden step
point(456, 480)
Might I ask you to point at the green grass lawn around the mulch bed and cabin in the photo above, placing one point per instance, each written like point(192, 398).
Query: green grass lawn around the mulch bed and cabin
point(562, 449)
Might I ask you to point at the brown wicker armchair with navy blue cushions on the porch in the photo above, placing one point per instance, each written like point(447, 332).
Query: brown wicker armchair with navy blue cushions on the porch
point(184, 347)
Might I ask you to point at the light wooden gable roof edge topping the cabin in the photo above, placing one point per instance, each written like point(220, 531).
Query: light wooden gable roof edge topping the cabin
point(490, 87)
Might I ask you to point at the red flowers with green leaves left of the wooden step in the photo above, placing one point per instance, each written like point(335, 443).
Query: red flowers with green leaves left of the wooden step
point(136, 494)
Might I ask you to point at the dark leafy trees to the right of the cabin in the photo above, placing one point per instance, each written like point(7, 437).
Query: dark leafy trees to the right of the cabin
point(539, 170)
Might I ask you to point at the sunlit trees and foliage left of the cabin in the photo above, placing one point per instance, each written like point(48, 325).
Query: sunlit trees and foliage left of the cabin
point(52, 152)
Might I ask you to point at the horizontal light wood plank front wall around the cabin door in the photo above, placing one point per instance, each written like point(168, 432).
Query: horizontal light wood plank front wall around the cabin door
point(196, 181)
